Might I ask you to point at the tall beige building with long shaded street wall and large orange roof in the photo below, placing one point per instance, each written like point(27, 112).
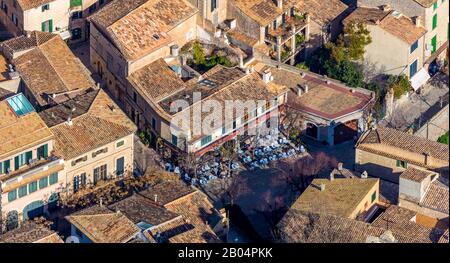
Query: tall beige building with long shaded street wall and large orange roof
point(122, 43)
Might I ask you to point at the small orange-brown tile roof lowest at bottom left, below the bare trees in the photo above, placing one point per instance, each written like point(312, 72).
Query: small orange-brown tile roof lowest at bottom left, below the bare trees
point(104, 226)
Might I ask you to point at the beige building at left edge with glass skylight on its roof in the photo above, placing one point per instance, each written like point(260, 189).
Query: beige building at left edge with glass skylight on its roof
point(30, 171)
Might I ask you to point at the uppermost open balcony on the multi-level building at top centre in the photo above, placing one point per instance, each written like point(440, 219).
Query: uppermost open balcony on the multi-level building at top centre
point(291, 27)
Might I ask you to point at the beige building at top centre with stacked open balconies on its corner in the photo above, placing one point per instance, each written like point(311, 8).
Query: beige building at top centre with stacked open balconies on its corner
point(279, 28)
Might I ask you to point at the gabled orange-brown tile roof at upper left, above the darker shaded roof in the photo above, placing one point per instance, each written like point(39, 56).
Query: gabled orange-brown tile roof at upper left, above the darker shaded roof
point(52, 68)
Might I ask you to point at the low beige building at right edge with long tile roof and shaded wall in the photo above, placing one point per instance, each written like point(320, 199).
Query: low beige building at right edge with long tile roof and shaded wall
point(387, 153)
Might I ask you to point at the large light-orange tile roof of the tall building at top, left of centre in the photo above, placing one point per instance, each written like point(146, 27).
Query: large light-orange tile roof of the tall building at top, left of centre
point(142, 26)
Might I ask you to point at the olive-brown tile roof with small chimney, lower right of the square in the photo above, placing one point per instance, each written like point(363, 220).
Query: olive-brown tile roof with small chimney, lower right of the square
point(340, 197)
